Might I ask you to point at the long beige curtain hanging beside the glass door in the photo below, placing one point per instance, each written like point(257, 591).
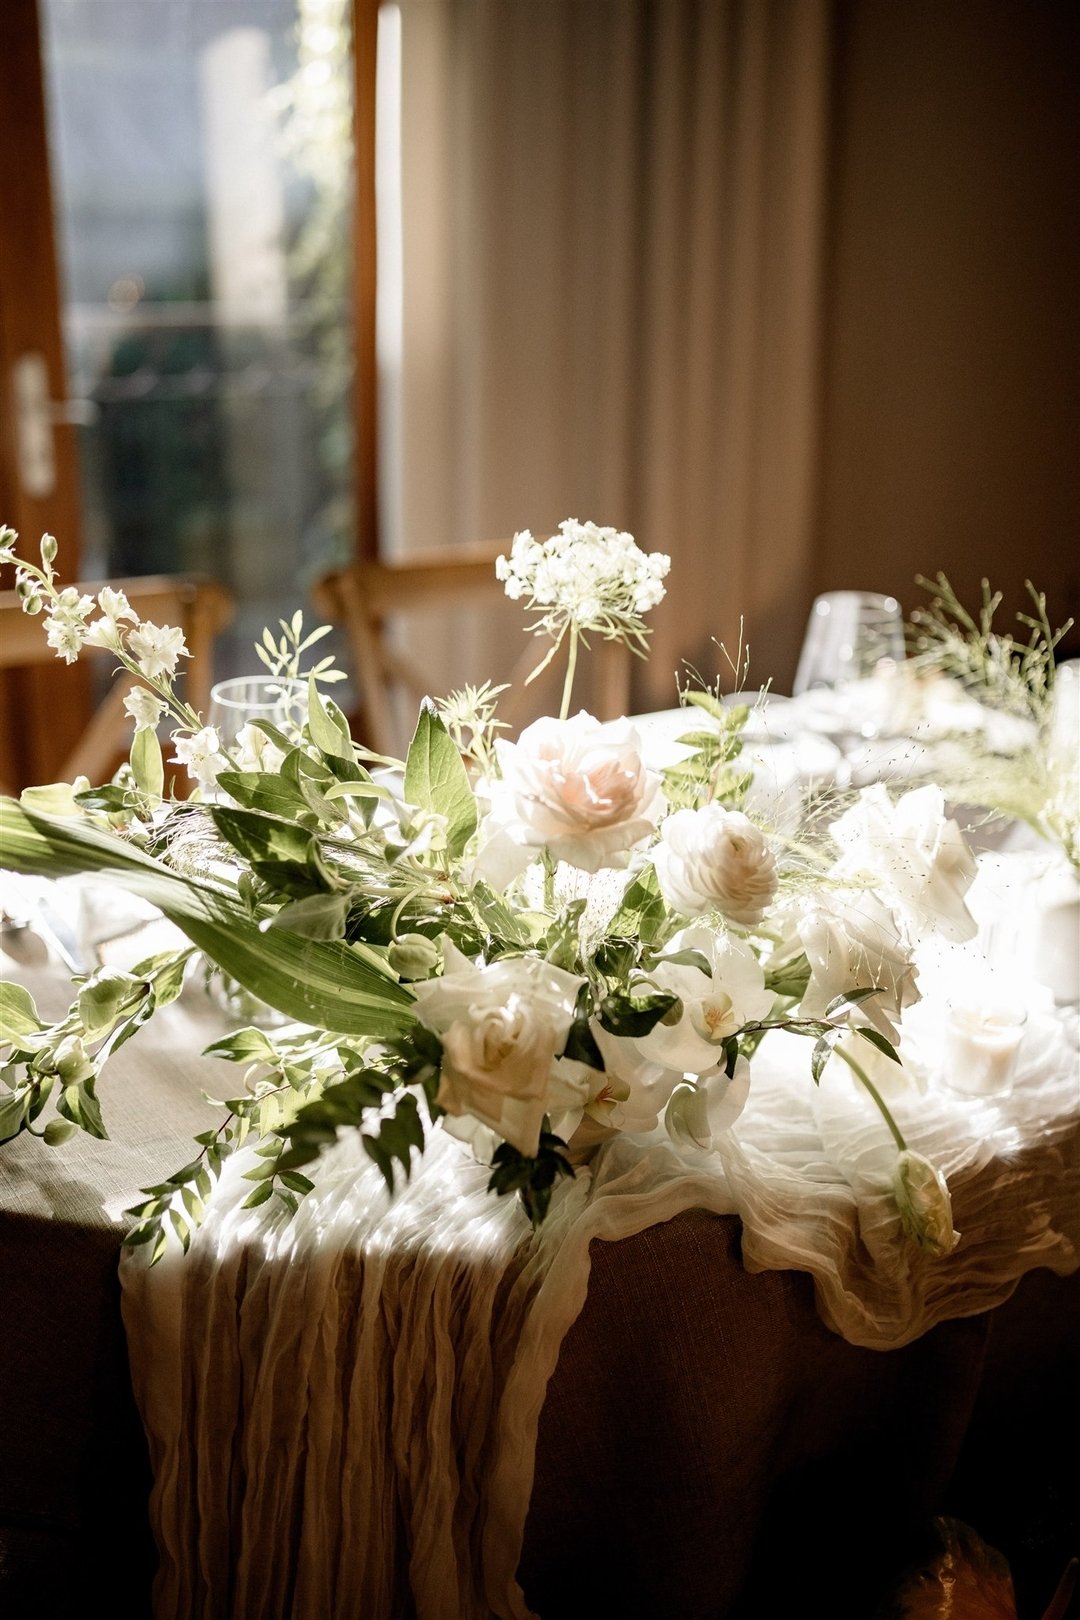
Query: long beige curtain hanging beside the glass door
point(613, 241)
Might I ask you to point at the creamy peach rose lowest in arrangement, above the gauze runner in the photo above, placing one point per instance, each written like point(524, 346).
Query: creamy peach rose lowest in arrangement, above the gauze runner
point(501, 1030)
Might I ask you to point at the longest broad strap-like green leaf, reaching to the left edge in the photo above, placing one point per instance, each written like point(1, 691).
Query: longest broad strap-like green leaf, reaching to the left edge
point(347, 989)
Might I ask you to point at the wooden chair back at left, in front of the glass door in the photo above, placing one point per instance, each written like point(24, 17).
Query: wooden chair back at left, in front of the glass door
point(200, 608)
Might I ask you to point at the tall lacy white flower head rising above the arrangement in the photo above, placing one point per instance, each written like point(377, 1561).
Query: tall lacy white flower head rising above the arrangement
point(585, 578)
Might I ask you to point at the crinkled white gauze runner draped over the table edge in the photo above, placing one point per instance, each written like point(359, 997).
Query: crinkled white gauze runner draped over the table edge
point(342, 1409)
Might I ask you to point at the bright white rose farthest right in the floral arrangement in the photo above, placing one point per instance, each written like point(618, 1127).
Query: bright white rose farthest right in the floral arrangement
point(916, 858)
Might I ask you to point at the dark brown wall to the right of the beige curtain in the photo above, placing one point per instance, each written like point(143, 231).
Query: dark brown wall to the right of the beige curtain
point(953, 336)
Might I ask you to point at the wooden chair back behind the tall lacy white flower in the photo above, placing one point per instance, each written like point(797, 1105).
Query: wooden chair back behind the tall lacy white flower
point(368, 599)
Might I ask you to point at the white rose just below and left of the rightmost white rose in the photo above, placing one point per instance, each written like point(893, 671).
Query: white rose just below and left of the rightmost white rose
point(854, 944)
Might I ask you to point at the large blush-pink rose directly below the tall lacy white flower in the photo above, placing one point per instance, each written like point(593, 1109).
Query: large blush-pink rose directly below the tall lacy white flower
point(576, 788)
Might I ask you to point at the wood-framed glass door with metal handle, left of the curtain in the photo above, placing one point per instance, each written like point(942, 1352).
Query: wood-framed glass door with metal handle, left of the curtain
point(56, 488)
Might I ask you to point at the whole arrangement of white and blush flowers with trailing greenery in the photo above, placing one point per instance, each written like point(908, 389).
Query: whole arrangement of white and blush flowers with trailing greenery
point(532, 944)
